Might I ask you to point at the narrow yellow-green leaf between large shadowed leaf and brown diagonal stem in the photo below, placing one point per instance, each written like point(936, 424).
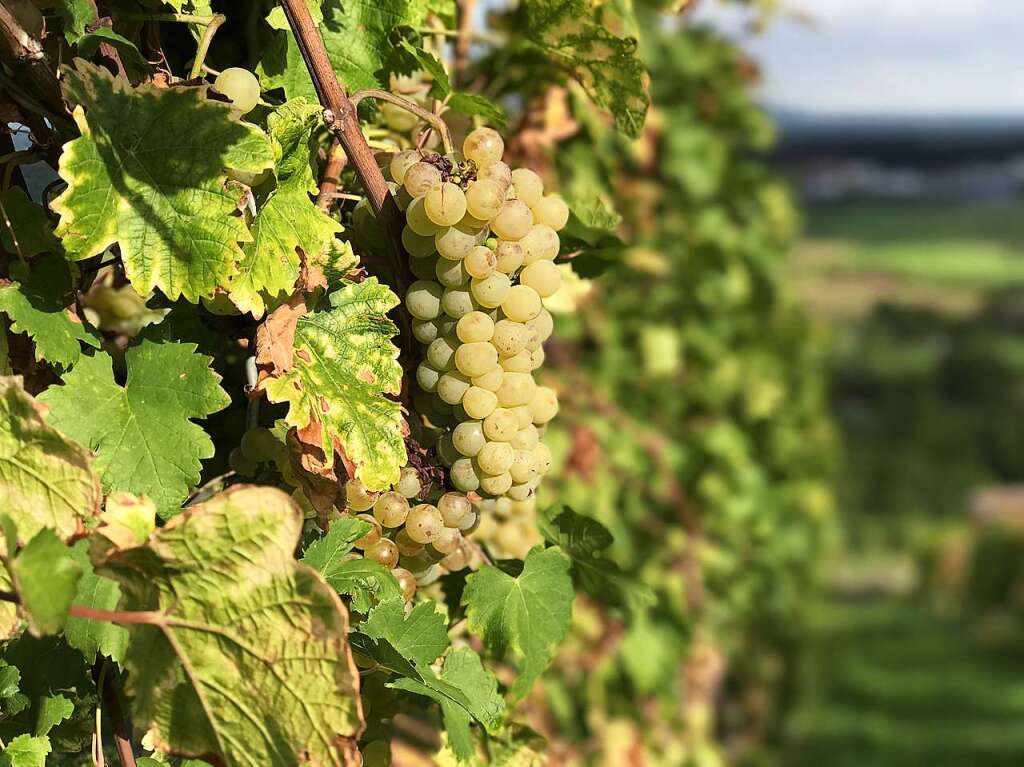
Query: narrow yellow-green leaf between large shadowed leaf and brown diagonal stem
point(288, 221)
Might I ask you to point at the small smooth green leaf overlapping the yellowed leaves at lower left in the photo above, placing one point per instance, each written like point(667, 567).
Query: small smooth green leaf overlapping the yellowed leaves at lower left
point(46, 578)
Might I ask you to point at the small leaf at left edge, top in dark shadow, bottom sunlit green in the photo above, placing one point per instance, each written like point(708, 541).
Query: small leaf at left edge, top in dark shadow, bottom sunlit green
point(39, 308)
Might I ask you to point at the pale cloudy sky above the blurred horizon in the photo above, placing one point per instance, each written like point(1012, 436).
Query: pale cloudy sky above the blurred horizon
point(905, 58)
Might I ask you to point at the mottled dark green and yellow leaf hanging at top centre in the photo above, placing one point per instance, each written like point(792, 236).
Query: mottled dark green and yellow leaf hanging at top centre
point(607, 66)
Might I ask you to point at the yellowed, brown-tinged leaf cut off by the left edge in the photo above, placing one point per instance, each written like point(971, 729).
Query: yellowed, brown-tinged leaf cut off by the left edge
point(46, 480)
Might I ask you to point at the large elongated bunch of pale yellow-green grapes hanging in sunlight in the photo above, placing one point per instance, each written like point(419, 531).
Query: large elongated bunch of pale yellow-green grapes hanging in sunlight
point(483, 240)
